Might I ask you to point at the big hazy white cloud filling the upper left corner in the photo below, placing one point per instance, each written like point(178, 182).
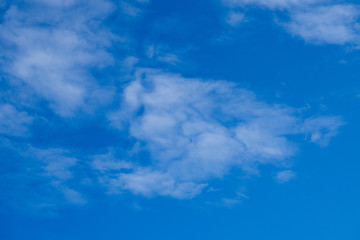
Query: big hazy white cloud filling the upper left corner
point(51, 47)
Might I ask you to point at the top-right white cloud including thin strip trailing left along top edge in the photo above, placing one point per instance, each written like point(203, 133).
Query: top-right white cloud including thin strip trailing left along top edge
point(316, 22)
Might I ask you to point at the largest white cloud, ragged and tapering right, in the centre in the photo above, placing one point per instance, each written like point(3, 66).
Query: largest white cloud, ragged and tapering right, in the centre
point(197, 130)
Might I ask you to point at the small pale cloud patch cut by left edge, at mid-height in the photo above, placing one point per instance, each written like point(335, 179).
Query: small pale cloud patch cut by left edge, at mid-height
point(14, 122)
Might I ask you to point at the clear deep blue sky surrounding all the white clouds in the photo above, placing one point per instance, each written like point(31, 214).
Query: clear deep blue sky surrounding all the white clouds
point(321, 202)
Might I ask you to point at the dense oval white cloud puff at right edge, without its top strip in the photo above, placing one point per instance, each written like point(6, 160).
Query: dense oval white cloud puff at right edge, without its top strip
point(335, 24)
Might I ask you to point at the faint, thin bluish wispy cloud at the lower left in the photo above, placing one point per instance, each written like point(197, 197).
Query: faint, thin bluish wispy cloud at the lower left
point(39, 178)
